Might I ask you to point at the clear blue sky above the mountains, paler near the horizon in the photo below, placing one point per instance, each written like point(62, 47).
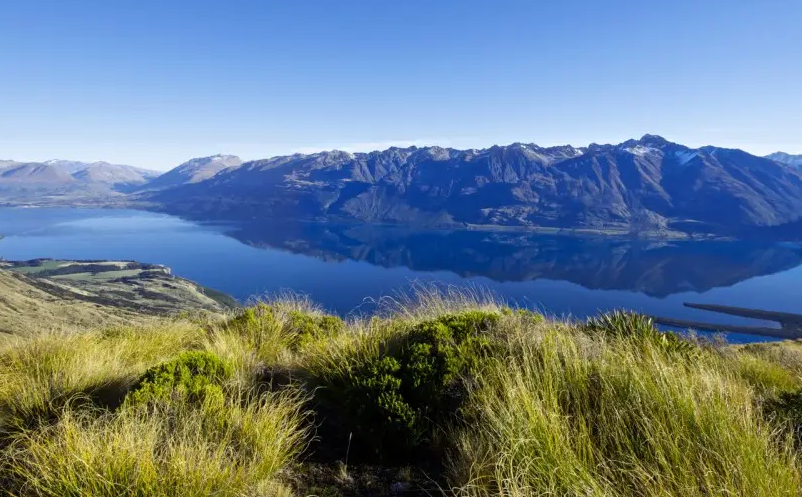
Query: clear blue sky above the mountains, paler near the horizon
point(153, 83)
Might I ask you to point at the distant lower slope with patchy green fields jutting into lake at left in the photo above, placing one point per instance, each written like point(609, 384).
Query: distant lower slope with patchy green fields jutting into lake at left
point(56, 294)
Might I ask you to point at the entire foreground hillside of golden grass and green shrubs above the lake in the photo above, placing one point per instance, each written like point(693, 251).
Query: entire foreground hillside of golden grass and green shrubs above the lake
point(452, 395)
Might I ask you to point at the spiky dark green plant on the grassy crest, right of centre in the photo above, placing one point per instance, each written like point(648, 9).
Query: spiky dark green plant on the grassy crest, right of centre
point(628, 324)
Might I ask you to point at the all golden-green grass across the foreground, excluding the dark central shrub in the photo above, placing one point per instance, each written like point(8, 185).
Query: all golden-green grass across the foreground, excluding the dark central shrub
point(559, 410)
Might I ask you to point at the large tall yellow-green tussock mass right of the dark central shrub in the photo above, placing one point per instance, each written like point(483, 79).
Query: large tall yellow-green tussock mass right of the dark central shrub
point(561, 415)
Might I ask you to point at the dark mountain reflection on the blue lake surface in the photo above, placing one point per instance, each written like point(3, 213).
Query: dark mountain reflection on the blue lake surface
point(657, 269)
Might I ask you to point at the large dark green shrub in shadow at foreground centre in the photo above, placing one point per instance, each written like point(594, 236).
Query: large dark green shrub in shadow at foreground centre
point(398, 399)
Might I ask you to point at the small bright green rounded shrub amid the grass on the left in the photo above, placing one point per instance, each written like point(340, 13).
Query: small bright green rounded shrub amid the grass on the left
point(192, 376)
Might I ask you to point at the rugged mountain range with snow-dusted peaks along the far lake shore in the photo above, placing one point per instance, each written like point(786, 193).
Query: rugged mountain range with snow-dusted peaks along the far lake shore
point(638, 186)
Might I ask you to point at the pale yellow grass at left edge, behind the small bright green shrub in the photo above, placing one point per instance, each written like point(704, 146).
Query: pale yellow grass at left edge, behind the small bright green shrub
point(40, 375)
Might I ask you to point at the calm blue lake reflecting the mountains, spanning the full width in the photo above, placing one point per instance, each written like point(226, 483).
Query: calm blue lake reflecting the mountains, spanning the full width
point(346, 267)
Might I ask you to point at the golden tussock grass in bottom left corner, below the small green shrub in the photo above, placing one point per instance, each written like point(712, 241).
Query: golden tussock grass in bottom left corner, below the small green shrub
point(225, 448)
